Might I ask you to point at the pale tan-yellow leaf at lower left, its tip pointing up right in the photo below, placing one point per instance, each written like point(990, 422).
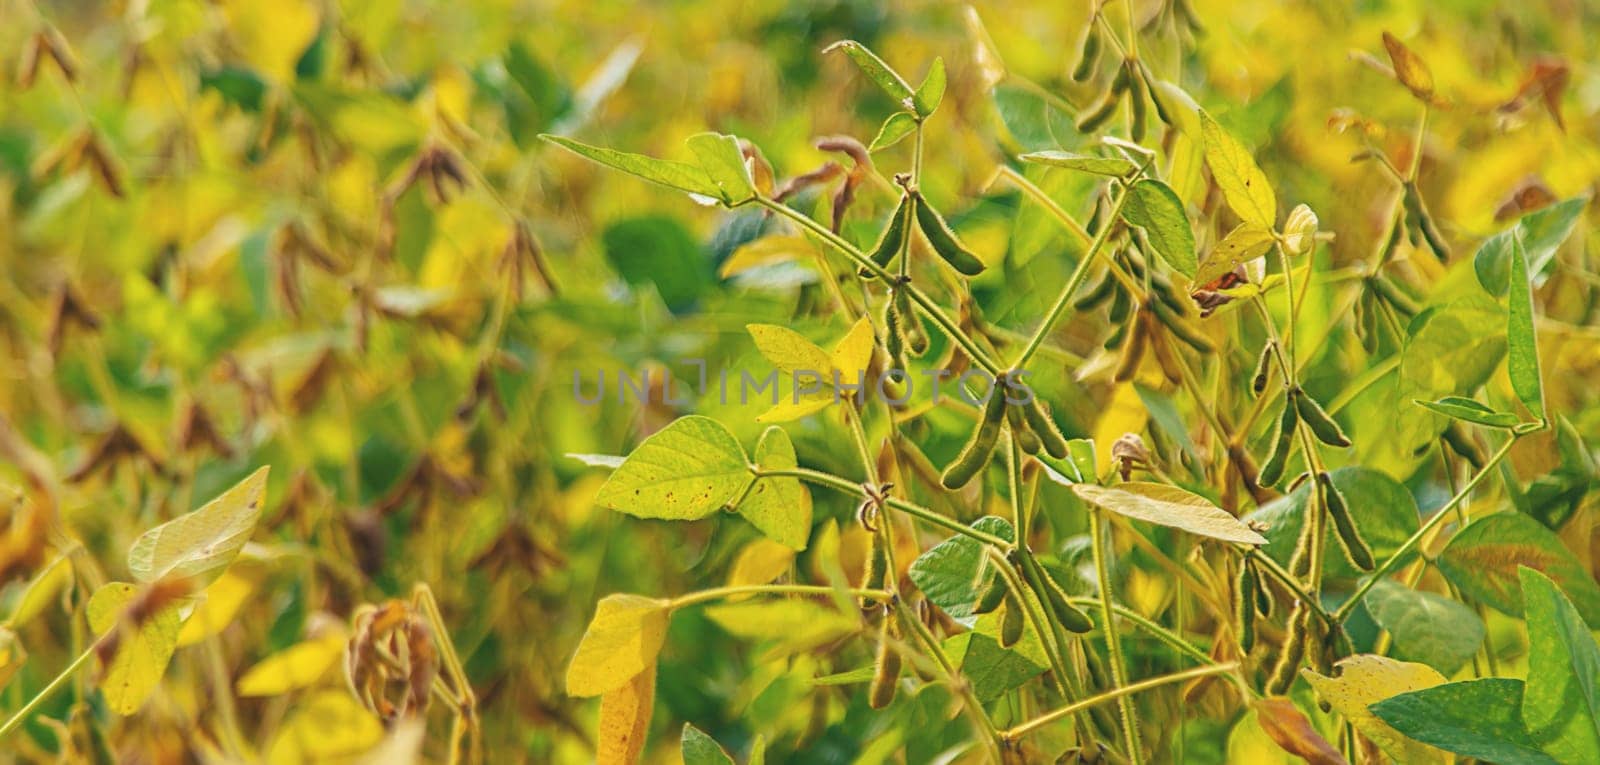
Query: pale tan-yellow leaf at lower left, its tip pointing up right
point(201, 545)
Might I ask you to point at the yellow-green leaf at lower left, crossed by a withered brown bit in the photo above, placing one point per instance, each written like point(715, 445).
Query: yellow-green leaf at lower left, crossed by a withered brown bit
point(143, 652)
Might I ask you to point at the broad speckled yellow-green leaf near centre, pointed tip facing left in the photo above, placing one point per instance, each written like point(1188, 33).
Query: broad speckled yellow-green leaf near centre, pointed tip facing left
point(686, 471)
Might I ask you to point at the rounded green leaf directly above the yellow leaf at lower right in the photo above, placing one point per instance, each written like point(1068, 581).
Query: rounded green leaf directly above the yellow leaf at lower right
point(1428, 628)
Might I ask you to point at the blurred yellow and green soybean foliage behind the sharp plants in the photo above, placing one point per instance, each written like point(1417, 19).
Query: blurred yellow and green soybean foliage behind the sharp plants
point(214, 258)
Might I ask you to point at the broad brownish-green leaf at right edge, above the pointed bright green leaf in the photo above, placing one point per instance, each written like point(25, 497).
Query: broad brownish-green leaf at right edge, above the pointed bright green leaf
point(1484, 558)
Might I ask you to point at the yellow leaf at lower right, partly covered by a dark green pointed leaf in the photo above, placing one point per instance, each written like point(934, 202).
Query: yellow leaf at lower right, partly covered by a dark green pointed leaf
point(1369, 679)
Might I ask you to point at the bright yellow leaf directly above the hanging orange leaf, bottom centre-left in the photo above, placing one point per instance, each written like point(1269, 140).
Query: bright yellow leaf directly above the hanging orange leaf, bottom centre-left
point(622, 641)
